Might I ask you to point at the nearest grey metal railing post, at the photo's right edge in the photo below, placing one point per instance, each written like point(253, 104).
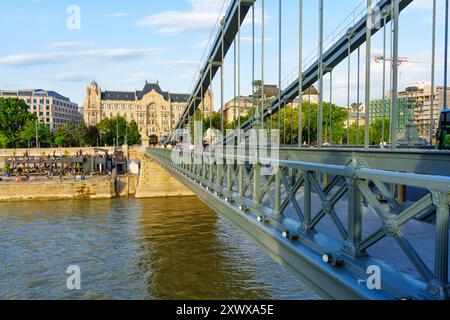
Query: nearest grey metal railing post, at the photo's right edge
point(439, 286)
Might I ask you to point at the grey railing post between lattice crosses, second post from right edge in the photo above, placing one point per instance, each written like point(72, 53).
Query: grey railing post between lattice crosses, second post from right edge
point(351, 245)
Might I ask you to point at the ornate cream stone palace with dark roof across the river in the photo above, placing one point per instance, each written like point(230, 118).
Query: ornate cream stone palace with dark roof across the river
point(155, 111)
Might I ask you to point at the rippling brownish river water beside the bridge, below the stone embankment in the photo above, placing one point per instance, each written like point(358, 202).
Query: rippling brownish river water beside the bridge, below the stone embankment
point(133, 249)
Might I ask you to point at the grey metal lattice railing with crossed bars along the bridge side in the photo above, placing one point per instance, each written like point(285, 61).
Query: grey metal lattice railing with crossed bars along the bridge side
point(353, 205)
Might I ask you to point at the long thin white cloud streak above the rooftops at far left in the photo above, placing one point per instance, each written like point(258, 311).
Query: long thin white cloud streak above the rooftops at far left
point(64, 57)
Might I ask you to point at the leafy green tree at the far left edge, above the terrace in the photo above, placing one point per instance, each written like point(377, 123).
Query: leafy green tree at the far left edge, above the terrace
point(14, 115)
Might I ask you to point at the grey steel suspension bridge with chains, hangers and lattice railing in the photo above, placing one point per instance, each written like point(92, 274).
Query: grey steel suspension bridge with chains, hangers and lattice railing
point(353, 222)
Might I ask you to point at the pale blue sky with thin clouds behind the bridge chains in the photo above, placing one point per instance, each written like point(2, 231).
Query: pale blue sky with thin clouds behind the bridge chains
point(63, 45)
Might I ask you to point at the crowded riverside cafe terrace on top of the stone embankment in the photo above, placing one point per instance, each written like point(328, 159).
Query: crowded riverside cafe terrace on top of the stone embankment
point(77, 165)
